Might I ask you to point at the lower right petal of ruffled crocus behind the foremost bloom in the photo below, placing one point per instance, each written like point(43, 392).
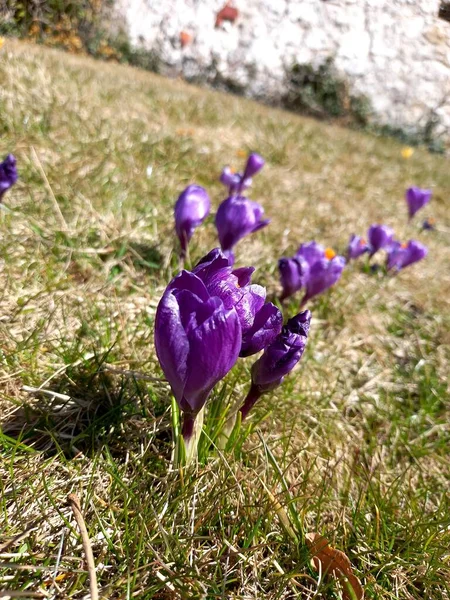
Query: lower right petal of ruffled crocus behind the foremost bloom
point(266, 326)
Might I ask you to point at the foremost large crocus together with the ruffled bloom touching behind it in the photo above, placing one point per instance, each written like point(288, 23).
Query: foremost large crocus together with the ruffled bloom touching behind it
point(205, 320)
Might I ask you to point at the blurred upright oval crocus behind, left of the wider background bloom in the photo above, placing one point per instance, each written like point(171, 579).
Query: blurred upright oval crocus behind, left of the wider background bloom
point(191, 208)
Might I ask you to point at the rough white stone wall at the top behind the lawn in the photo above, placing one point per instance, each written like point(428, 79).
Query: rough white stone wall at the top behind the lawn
point(396, 52)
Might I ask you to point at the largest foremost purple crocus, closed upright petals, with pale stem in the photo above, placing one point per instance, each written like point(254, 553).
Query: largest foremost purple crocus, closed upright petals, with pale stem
point(197, 341)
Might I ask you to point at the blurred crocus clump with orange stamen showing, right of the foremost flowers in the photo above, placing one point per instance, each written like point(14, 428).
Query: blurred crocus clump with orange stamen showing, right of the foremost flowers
point(313, 268)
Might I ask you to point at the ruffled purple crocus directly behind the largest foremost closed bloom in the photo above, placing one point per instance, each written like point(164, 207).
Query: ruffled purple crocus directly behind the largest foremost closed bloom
point(260, 322)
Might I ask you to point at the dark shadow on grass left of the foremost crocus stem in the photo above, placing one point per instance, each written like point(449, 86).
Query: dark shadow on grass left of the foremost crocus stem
point(89, 407)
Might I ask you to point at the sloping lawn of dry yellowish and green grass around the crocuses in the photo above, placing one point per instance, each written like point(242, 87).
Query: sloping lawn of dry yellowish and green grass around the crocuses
point(360, 432)
